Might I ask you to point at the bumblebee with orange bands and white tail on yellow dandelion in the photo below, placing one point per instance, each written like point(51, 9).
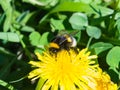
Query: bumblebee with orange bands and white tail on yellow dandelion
point(62, 41)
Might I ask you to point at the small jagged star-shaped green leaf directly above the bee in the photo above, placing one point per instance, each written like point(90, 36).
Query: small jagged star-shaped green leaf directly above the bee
point(57, 24)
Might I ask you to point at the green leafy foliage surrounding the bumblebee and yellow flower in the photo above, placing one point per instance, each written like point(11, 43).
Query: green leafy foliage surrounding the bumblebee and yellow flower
point(27, 26)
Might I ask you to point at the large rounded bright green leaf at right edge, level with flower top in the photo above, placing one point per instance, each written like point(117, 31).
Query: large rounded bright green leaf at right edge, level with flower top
point(113, 57)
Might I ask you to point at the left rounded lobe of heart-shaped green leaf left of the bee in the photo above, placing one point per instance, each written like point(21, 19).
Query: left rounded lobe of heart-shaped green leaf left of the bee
point(34, 38)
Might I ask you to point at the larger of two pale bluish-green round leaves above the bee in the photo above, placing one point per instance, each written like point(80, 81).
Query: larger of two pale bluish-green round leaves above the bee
point(78, 21)
